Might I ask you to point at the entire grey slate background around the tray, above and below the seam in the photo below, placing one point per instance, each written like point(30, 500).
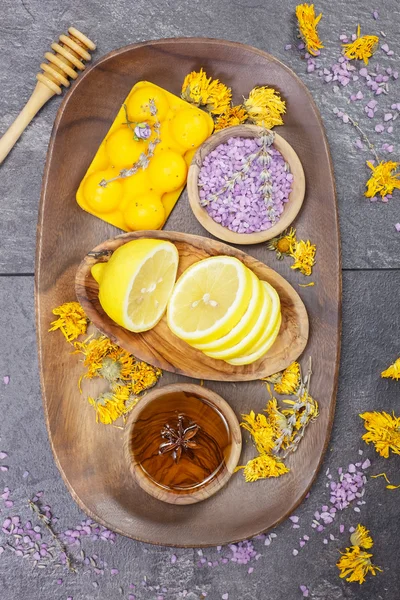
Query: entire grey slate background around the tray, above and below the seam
point(371, 278)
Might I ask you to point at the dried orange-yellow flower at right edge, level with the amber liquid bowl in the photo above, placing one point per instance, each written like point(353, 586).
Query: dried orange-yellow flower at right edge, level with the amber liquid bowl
point(383, 430)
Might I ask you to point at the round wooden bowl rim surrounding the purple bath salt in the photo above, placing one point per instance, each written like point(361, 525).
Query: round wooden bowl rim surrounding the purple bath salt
point(291, 209)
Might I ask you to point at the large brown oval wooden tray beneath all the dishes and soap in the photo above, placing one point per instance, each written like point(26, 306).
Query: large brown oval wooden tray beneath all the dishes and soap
point(90, 456)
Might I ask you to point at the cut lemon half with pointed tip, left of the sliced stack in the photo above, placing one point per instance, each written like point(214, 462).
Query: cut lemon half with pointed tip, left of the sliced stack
point(137, 281)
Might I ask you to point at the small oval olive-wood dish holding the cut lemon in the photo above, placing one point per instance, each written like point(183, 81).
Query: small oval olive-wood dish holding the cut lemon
point(161, 347)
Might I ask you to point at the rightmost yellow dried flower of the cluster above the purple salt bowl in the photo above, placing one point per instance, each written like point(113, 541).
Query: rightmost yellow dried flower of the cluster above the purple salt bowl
point(265, 107)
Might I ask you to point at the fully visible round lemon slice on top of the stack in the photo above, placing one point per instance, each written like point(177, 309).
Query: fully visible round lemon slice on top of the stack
point(209, 299)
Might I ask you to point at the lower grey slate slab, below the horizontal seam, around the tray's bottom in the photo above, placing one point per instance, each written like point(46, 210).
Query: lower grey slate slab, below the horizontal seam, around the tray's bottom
point(368, 298)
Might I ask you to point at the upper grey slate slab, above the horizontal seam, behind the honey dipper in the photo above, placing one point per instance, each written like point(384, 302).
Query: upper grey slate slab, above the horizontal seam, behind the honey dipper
point(28, 27)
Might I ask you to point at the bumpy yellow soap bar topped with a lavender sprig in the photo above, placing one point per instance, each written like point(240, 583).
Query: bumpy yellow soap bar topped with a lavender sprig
point(154, 124)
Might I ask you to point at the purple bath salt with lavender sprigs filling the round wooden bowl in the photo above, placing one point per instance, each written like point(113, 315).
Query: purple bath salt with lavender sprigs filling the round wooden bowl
point(245, 183)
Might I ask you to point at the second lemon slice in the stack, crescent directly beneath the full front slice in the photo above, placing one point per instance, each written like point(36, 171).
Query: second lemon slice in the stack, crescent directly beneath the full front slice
point(245, 324)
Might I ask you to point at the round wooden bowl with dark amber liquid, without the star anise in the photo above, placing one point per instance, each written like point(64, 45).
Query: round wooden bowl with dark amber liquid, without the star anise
point(142, 443)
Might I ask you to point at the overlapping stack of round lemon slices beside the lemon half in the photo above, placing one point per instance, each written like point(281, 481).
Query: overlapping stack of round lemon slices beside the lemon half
point(220, 307)
